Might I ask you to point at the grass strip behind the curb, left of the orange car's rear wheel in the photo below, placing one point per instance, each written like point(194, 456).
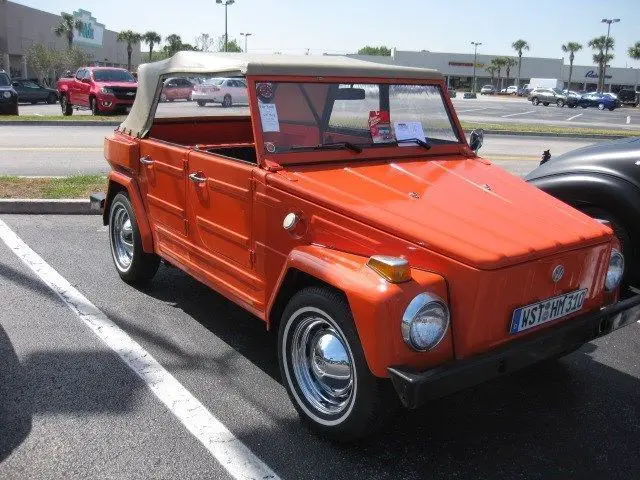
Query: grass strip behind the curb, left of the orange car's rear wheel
point(77, 186)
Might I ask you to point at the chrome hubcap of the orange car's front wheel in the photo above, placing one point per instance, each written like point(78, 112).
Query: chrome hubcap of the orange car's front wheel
point(322, 365)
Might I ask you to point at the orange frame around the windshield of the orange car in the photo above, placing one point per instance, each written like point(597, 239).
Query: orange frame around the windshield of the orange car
point(380, 151)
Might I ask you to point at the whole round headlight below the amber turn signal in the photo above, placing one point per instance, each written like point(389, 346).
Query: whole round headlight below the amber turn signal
point(425, 322)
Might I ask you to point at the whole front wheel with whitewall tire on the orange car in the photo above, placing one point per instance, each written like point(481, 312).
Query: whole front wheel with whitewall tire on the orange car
point(324, 369)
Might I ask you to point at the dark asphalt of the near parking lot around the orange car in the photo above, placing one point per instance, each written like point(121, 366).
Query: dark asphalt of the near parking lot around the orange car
point(70, 408)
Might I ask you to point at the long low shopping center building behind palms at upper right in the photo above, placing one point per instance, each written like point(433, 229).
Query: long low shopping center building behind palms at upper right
point(458, 70)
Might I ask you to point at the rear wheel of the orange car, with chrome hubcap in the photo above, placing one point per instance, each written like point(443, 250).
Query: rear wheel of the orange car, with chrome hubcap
point(134, 266)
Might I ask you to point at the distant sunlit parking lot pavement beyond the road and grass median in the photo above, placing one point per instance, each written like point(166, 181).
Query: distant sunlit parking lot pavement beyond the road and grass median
point(483, 109)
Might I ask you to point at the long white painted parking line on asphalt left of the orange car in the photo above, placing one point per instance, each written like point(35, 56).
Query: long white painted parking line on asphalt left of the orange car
point(229, 451)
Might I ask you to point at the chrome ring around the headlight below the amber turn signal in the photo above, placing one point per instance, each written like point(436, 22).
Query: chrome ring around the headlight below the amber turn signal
point(417, 308)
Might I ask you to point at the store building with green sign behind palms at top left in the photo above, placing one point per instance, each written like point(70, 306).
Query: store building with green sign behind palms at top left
point(22, 26)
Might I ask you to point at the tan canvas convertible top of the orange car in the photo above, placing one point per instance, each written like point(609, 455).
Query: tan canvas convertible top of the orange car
point(228, 64)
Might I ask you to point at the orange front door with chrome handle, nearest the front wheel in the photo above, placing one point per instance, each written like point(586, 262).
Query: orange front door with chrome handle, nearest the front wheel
point(220, 206)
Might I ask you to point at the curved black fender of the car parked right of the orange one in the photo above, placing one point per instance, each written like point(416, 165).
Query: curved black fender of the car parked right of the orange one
point(609, 192)
